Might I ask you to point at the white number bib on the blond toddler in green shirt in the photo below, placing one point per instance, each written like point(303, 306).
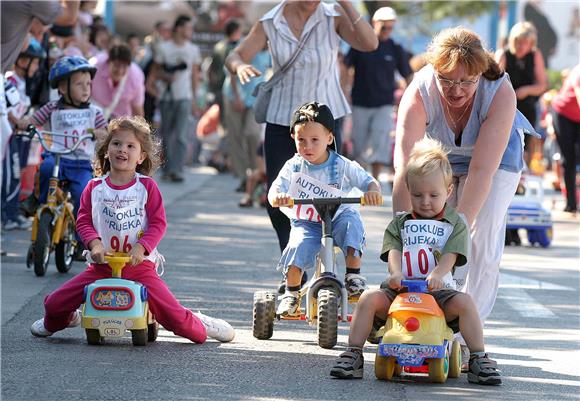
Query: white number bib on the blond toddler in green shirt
point(423, 242)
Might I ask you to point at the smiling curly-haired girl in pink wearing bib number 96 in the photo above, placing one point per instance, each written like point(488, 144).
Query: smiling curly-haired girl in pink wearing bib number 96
point(122, 211)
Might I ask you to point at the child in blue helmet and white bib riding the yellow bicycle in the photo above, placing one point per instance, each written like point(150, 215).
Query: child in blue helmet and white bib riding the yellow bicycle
point(72, 114)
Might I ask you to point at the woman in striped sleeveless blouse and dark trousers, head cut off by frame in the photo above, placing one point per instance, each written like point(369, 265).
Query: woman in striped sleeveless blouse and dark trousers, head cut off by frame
point(304, 39)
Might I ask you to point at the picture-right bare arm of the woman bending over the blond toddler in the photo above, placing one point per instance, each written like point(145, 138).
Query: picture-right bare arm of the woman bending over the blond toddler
point(489, 148)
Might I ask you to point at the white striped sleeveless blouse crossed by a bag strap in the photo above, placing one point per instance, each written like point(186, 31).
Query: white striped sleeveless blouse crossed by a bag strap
point(314, 75)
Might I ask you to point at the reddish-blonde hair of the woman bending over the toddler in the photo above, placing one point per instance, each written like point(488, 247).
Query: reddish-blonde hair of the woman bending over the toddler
point(454, 46)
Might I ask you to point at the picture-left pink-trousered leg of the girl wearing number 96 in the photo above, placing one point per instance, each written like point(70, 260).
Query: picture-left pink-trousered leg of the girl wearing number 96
point(60, 305)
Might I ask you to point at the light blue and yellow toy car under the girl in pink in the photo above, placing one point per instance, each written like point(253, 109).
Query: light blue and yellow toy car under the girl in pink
point(115, 305)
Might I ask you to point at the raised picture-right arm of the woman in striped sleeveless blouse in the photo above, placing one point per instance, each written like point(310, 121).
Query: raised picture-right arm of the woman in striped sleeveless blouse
point(356, 31)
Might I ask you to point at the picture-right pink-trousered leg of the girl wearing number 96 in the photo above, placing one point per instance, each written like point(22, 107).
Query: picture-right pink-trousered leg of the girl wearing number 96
point(166, 308)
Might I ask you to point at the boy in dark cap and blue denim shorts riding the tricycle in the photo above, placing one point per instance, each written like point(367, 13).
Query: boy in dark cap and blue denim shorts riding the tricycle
point(317, 171)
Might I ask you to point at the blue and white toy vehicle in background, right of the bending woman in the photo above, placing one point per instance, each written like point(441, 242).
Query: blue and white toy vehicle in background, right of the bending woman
point(526, 212)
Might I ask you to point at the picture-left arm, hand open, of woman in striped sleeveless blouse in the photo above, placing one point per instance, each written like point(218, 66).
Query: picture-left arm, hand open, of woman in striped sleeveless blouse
point(238, 61)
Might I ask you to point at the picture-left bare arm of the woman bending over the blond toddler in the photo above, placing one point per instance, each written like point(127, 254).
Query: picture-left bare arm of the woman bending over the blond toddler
point(411, 123)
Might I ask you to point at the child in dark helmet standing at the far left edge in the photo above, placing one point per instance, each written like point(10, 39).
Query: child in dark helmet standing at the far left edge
point(16, 155)
